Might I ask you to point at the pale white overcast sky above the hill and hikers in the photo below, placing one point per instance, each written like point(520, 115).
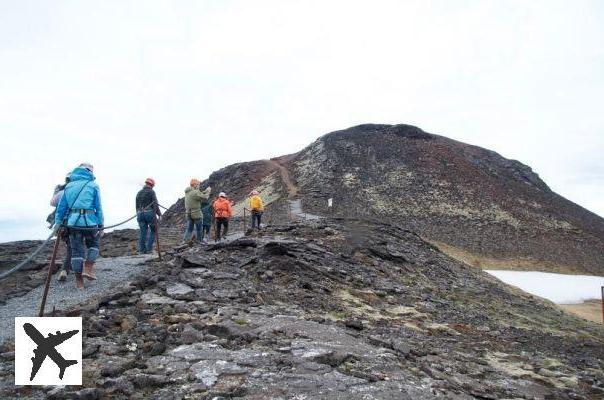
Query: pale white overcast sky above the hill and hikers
point(176, 90)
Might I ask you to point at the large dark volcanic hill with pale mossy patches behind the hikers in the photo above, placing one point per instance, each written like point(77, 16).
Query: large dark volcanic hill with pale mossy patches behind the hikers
point(472, 203)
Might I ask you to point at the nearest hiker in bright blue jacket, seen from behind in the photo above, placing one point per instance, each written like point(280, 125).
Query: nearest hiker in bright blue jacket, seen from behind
point(81, 212)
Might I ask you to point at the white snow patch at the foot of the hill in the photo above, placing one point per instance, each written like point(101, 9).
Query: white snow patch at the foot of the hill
point(559, 288)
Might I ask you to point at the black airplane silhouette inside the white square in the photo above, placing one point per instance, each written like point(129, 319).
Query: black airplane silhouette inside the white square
point(46, 347)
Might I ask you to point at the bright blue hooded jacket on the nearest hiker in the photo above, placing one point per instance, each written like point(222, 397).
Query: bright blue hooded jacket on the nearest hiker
point(81, 193)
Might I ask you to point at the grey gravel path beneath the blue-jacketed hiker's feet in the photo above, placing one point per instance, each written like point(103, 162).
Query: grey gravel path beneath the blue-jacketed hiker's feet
point(110, 272)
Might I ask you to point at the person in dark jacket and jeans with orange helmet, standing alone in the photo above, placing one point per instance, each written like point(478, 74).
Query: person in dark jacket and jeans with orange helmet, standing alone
point(147, 207)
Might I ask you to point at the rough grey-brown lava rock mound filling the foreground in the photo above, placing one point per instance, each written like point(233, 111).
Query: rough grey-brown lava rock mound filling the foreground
point(325, 309)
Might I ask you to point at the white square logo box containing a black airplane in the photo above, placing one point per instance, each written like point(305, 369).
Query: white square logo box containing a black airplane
point(68, 353)
